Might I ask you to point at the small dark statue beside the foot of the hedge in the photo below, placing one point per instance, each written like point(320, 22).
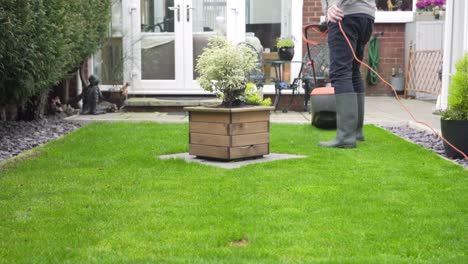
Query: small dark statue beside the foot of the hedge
point(92, 96)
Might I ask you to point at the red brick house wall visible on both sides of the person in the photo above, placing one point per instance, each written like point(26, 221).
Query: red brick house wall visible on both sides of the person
point(392, 45)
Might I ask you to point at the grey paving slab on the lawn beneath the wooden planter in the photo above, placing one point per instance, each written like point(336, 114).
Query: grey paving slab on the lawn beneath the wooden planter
point(231, 164)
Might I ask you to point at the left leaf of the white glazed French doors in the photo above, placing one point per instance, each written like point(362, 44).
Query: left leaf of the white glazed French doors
point(157, 45)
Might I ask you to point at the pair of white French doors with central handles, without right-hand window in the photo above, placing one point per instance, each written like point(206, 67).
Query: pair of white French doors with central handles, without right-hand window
point(165, 38)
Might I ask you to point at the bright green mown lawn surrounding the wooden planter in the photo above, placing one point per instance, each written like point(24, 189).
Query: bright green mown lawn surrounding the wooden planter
point(100, 195)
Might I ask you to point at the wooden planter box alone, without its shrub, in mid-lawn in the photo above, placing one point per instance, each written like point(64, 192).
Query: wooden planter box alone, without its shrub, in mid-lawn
point(229, 133)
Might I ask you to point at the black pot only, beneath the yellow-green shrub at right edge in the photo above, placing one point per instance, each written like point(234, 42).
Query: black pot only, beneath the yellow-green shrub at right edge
point(456, 132)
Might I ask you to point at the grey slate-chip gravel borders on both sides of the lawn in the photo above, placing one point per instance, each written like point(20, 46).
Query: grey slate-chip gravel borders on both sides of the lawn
point(19, 136)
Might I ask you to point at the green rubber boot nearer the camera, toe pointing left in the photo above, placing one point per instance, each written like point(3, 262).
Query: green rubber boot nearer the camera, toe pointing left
point(346, 122)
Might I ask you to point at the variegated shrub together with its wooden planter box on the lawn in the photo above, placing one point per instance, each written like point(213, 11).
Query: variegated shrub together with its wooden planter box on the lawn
point(233, 130)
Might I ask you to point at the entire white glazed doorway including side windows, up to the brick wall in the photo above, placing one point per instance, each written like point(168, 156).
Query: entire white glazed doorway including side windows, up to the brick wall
point(162, 39)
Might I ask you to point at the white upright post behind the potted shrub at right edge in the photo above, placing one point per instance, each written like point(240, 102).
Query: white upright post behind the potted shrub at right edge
point(447, 63)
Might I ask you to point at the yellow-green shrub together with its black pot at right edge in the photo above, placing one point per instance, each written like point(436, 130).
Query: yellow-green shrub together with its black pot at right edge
point(454, 121)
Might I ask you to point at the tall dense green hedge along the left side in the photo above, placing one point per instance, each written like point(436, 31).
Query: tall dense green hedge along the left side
point(41, 41)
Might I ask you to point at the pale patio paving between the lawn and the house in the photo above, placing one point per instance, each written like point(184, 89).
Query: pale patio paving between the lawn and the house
point(380, 110)
